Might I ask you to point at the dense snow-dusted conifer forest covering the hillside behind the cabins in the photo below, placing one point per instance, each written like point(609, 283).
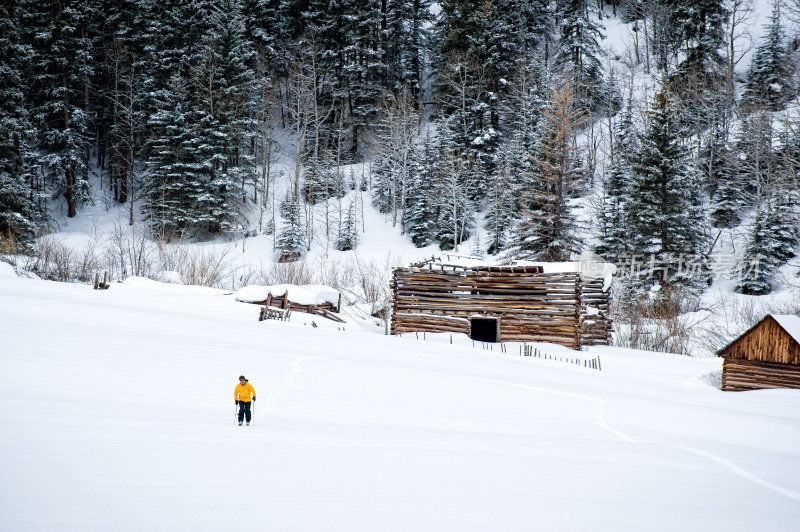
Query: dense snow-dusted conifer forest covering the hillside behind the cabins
point(504, 117)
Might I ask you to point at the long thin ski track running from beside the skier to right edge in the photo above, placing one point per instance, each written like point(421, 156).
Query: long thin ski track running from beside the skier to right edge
point(597, 413)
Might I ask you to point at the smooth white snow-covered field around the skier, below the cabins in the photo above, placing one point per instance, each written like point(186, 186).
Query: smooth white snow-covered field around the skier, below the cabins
point(116, 413)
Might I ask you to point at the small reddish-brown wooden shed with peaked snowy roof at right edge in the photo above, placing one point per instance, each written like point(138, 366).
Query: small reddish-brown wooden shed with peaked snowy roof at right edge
point(766, 356)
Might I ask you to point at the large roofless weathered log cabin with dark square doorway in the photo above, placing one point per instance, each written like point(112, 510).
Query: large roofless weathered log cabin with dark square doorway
point(502, 303)
